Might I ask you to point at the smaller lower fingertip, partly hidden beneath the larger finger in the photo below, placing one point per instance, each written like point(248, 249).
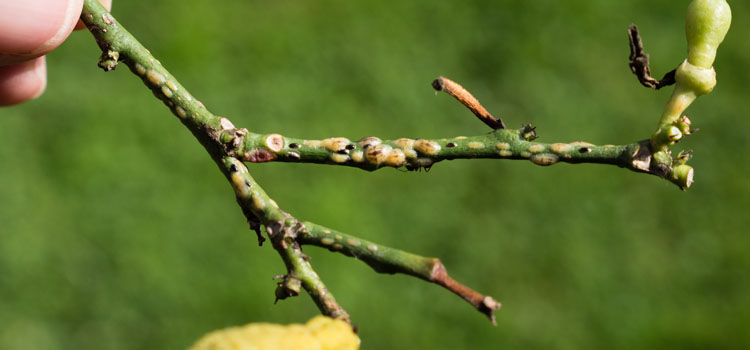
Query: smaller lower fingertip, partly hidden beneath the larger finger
point(23, 81)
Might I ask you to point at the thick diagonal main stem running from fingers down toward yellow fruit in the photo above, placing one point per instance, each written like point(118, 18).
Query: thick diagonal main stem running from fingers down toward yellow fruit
point(119, 46)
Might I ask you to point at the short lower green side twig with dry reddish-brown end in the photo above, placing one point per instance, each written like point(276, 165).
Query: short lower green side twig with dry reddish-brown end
point(389, 260)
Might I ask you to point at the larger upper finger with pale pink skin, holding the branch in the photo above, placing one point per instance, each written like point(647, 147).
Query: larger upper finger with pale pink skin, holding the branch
point(32, 28)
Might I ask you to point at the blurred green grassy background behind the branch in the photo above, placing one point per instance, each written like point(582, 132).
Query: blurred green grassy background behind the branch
point(118, 232)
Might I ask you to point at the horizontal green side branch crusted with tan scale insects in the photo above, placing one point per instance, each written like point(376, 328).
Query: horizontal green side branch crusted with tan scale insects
point(417, 153)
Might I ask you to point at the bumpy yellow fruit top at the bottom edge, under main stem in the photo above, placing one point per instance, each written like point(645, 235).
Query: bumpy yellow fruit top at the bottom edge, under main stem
point(320, 333)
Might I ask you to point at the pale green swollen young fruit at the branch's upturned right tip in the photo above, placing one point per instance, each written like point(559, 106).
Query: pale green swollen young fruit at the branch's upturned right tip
point(707, 22)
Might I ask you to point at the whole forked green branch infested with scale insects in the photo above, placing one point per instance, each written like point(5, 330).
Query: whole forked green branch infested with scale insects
point(230, 146)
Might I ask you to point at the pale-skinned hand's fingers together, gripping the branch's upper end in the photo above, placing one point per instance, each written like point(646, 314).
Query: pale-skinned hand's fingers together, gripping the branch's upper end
point(29, 30)
